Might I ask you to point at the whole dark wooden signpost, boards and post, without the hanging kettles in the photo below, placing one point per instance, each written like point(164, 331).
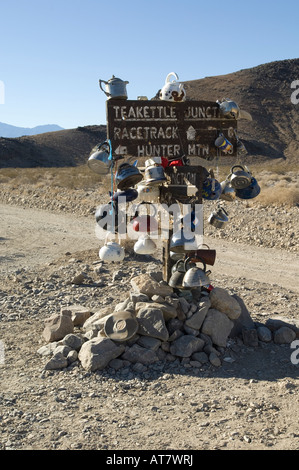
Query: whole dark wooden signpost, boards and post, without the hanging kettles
point(156, 128)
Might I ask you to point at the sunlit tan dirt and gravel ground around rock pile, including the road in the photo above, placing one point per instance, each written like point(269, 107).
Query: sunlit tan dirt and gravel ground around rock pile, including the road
point(249, 403)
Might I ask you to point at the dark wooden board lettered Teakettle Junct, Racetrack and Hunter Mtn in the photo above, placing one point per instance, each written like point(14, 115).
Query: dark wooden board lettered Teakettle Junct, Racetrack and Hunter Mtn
point(156, 128)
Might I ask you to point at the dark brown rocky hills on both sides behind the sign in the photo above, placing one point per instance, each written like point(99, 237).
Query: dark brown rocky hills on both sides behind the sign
point(264, 91)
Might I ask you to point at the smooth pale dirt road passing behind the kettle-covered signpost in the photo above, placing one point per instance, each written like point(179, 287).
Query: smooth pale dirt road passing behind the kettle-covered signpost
point(31, 237)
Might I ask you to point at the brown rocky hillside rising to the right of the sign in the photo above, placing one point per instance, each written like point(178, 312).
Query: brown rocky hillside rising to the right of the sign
point(265, 92)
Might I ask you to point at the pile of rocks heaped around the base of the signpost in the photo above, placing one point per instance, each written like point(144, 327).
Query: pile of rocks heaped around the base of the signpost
point(194, 327)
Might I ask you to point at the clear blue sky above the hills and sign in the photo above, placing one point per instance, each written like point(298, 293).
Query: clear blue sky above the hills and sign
point(53, 52)
